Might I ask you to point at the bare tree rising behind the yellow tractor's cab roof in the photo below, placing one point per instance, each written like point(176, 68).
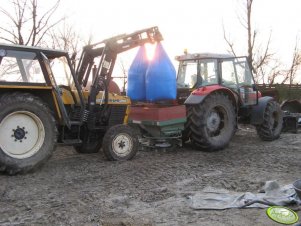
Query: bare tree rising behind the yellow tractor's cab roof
point(26, 23)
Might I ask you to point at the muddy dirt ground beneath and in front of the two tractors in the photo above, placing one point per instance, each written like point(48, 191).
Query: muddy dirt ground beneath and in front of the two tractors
point(152, 189)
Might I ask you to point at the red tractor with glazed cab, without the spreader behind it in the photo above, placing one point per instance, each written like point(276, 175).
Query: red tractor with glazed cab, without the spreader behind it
point(219, 92)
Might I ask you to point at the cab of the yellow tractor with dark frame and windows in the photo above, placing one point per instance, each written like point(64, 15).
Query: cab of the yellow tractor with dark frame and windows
point(46, 73)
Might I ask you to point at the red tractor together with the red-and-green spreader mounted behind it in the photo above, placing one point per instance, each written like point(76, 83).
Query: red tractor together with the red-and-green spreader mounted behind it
point(219, 92)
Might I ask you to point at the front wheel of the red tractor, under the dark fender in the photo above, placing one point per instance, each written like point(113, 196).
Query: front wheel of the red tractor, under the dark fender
point(271, 127)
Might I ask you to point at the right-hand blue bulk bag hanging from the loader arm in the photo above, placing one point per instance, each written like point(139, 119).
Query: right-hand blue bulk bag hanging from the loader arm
point(160, 78)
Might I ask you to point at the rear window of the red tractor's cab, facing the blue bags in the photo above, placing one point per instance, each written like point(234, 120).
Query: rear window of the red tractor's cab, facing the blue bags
point(196, 73)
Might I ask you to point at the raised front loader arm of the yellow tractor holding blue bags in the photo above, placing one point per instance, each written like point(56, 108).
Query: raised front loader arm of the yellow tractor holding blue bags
point(107, 51)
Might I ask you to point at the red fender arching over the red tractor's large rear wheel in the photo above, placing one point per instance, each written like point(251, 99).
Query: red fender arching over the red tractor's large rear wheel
point(198, 95)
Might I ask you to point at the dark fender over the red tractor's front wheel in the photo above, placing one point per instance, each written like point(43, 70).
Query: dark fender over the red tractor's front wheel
point(258, 110)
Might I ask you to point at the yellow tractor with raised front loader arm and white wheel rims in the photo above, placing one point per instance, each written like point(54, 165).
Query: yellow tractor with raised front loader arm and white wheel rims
point(44, 102)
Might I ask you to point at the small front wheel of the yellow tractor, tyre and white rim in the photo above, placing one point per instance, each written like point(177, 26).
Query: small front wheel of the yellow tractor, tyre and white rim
point(120, 143)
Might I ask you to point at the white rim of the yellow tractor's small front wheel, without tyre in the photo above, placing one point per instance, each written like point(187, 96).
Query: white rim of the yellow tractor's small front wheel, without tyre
point(122, 144)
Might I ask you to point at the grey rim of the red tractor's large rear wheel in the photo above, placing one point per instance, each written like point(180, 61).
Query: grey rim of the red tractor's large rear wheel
point(216, 121)
